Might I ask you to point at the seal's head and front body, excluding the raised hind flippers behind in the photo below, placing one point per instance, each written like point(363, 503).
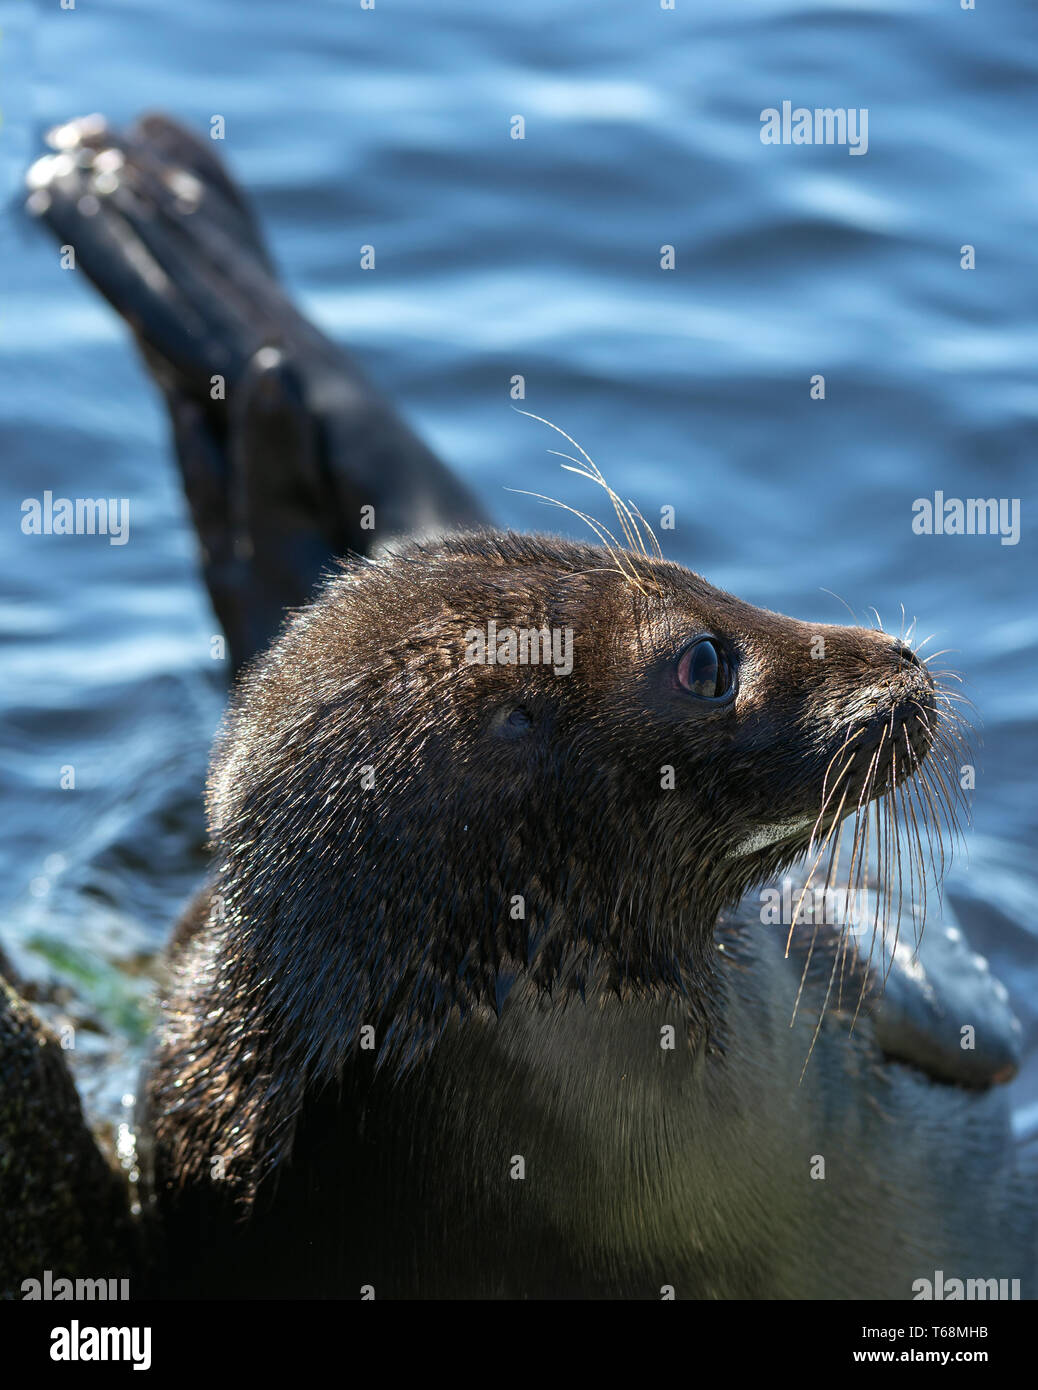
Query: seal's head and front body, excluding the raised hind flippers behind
point(473, 1010)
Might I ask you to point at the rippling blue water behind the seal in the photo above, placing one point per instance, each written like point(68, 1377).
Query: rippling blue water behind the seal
point(536, 258)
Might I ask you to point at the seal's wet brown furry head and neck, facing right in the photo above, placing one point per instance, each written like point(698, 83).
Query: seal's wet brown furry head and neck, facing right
point(404, 831)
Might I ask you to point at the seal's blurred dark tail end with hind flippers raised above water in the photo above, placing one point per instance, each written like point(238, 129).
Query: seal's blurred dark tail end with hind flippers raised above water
point(166, 236)
